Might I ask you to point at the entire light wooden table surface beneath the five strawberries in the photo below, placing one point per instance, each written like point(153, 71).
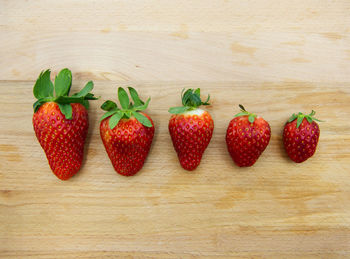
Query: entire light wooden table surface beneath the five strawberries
point(275, 57)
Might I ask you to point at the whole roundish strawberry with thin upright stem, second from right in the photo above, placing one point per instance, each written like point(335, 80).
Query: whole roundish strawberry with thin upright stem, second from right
point(247, 137)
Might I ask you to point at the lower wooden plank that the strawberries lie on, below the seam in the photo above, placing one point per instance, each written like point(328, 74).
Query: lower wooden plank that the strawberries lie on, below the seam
point(275, 208)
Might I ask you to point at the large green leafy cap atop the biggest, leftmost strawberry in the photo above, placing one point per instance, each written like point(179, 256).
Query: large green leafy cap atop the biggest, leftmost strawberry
point(45, 91)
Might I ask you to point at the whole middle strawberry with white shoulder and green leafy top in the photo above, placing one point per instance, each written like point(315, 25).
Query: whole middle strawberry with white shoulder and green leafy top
point(190, 129)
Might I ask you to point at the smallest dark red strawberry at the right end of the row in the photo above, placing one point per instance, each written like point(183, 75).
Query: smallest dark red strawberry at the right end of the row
point(300, 136)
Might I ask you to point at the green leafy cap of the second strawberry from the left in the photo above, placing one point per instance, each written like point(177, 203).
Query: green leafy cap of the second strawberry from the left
point(128, 109)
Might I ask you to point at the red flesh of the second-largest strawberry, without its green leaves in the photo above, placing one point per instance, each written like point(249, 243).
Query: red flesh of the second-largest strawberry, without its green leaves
point(128, 144)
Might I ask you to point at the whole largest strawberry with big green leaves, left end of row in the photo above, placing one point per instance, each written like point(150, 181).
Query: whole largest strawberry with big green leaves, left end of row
point(61, 122)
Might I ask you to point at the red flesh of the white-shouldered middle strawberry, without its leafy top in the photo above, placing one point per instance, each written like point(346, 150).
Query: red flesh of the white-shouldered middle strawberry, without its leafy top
point(191, 135)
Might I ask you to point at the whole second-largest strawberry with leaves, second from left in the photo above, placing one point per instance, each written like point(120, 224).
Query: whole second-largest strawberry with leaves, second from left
point(127, 133)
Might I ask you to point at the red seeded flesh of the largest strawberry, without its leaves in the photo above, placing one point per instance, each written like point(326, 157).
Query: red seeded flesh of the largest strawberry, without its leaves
point(62, 140)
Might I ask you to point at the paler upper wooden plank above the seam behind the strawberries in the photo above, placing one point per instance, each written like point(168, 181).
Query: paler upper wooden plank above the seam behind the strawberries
point(177, 40)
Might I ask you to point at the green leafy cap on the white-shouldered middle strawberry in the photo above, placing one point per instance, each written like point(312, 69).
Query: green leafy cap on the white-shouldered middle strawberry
point(191, 100)
